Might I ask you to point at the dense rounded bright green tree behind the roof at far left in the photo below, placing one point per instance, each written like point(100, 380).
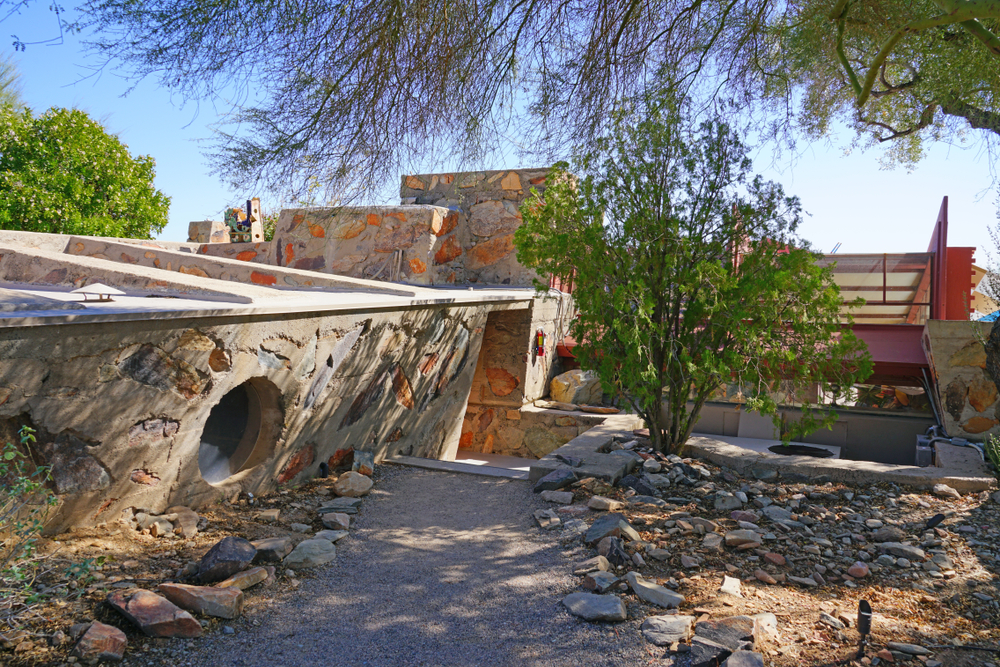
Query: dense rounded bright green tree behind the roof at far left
point(61, 172)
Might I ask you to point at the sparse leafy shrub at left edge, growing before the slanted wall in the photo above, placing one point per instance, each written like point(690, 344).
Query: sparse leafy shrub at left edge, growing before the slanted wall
point(25, 503)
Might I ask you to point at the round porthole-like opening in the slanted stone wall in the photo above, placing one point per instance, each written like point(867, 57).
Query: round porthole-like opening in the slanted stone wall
point(241, 430)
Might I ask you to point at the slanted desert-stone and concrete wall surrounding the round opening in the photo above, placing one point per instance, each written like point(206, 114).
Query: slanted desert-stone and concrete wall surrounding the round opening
point(121, 407)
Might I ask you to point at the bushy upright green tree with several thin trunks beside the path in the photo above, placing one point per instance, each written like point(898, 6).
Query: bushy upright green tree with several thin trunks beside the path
point(688, 275)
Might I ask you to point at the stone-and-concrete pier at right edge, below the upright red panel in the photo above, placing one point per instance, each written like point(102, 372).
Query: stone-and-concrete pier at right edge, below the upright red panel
point(966, 395)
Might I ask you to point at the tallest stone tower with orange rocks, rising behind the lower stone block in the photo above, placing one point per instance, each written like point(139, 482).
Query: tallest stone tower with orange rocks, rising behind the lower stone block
point(477, 241)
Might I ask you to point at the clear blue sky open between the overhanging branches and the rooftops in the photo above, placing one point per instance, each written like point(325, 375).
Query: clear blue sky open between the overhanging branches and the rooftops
point(849, 198)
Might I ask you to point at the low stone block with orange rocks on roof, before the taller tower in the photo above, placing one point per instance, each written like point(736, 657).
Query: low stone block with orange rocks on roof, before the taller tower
point(394, 243)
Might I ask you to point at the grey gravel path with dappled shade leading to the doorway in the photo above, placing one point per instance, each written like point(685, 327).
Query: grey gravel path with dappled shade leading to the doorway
point(439, 569)
